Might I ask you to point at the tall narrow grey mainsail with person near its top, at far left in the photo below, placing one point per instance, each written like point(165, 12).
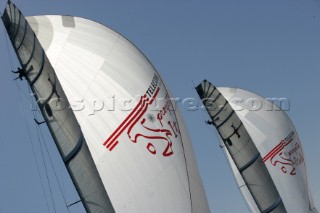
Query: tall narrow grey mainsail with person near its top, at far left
point(52, 101)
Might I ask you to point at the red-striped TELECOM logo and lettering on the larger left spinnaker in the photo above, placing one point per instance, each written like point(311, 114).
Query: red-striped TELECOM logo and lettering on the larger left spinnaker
point(138, 126)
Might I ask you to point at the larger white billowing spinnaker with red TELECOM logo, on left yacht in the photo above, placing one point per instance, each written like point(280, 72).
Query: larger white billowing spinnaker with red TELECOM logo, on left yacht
point(140, 147)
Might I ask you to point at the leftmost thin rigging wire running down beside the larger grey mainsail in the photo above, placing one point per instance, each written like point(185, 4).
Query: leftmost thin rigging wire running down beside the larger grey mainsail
point(26, 122)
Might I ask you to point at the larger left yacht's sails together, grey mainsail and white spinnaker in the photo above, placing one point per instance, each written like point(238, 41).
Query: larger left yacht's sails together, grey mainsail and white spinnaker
point(125, 146)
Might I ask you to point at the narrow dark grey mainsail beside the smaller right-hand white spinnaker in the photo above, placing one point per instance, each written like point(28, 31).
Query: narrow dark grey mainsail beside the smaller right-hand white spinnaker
point(241, 149)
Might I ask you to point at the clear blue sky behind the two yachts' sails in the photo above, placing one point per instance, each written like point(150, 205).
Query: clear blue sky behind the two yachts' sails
point(270, 47)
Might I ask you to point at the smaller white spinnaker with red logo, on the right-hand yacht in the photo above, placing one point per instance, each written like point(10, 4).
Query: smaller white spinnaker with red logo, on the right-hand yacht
point(277, 140)
